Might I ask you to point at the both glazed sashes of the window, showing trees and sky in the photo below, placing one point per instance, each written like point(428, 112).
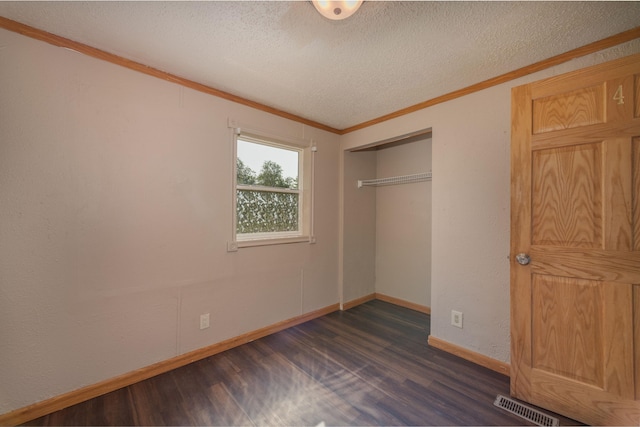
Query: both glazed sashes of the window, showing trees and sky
point(268, 197)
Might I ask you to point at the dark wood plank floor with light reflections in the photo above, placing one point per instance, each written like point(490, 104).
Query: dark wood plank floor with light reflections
point(370, 365)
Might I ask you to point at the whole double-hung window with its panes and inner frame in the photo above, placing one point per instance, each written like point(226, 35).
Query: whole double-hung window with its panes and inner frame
point(272, 191)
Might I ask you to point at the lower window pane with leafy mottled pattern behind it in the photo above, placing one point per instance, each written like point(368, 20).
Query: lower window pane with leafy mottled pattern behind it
point(266, 212)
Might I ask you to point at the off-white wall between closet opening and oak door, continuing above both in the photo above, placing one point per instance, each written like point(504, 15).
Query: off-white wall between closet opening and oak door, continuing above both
point(470, 224)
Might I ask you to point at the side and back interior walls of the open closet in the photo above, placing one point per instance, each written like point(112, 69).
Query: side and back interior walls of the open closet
point(387, 229)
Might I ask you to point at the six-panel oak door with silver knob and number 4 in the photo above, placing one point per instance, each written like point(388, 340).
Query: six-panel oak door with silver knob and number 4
point(575, 210)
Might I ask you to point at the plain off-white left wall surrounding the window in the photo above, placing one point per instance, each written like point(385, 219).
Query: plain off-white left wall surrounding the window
point(115, 211)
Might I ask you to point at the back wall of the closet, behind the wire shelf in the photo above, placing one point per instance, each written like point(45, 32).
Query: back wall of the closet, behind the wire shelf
point(403, 224)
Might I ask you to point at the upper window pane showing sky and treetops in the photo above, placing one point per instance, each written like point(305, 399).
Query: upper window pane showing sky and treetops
point(259, 164)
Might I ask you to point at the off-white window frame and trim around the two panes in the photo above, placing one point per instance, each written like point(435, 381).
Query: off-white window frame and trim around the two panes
point(306, 150)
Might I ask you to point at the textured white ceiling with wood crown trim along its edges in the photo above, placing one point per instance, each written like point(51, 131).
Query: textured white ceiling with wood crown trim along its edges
point(388, 56)
